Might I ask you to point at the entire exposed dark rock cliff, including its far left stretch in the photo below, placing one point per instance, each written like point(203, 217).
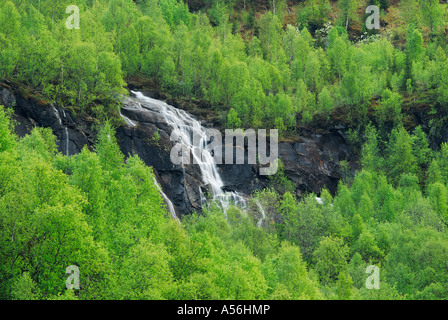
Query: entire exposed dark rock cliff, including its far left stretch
point(310, 161)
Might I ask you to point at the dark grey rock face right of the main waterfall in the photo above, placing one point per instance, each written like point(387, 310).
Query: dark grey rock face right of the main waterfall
point(311, 163)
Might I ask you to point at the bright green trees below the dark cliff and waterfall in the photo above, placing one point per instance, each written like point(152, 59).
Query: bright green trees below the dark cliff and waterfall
point(107, 217)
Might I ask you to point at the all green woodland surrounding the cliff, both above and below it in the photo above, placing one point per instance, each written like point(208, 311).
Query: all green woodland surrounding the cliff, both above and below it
point(259, 64)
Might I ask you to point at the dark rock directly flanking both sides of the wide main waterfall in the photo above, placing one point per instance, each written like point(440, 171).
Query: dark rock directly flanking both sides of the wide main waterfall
point(311, 161)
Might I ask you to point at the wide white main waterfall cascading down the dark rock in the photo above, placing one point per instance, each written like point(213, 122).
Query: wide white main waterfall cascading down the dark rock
point(188, 127)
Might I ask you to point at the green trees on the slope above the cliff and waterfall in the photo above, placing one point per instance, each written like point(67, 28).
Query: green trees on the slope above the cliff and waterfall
point(263, 73)
